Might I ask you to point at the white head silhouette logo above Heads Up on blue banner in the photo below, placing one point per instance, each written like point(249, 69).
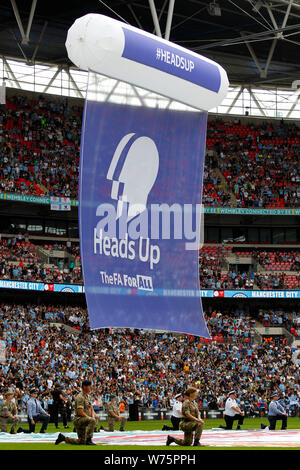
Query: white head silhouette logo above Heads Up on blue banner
point(133, 171)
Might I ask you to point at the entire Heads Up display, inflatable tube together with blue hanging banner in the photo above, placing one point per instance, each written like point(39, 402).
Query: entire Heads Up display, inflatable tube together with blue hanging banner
point(141, 172)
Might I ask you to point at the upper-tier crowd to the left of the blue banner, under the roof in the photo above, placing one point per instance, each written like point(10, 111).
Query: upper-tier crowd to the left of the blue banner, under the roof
point(39, 152)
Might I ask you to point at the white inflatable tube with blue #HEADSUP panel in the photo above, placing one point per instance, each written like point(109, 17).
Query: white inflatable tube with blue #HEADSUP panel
point(109, 47)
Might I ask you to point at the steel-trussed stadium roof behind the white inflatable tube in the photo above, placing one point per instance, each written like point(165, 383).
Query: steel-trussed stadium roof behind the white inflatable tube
point(256, 41)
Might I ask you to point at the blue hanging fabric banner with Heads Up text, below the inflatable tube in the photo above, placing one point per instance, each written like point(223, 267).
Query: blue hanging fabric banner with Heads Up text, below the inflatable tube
point(141, 177)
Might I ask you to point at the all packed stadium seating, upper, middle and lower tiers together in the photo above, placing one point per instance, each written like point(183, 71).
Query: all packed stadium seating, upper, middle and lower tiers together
point(247, 165)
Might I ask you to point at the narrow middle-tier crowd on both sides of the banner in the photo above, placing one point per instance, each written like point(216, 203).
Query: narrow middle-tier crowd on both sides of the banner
point(21, 260)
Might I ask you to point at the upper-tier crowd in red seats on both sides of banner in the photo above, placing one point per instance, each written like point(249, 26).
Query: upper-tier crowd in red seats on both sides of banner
point(251, 166)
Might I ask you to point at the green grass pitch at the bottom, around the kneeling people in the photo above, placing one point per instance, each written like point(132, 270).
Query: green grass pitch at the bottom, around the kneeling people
point(249, 423)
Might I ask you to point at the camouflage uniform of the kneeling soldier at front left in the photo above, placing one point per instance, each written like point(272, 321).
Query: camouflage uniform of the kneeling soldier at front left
point(85, 426)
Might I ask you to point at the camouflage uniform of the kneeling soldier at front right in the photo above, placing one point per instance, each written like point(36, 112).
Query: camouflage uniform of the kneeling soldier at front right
point(188, 426)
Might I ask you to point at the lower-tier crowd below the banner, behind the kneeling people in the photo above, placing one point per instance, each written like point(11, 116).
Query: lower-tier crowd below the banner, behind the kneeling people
point(154, 366)
